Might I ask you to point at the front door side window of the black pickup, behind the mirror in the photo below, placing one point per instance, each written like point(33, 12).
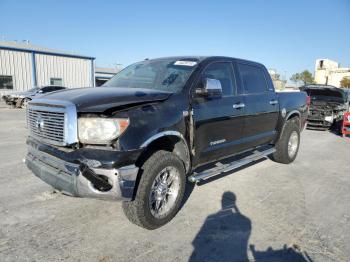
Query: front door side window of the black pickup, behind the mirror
point(222, 71)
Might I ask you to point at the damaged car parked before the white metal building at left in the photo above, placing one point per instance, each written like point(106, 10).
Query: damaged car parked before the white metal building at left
point(20, 99)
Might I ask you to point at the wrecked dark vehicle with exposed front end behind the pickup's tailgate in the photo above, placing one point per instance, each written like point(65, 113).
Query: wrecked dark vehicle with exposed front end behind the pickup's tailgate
point(327, 106)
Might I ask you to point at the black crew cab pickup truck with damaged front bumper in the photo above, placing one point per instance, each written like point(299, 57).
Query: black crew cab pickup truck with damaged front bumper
point(151, 128)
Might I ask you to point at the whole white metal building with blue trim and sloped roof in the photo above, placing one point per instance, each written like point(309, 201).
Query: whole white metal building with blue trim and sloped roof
point(23, 66)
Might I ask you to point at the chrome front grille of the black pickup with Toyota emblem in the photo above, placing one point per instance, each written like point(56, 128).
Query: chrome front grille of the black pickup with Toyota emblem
point(46, 125)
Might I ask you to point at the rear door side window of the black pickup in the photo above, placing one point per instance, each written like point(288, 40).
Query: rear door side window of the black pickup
point(253, 79)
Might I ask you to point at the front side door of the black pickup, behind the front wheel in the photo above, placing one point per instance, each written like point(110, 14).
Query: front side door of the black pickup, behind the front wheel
point(218, 122)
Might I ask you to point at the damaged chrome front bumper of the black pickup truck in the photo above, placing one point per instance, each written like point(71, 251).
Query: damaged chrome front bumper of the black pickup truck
point(82, 180)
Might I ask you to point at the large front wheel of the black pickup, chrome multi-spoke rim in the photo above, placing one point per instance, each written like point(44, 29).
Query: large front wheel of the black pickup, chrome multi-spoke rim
point(141, 211)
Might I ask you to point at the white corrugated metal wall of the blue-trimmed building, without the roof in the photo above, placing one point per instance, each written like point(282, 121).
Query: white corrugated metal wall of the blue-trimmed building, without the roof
point(74, 72)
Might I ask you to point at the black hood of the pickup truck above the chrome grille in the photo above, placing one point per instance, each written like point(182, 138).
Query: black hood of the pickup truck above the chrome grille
point(100, 99)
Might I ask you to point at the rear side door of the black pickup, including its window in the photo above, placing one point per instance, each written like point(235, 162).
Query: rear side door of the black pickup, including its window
point(261, 105)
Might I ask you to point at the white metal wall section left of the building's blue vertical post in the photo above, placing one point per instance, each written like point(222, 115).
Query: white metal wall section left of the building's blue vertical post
point(19, 66)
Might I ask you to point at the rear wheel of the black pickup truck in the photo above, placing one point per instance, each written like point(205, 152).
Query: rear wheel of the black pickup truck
point(287, 146)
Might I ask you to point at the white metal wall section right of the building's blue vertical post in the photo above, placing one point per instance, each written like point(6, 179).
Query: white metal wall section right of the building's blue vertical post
point(75, 72)
